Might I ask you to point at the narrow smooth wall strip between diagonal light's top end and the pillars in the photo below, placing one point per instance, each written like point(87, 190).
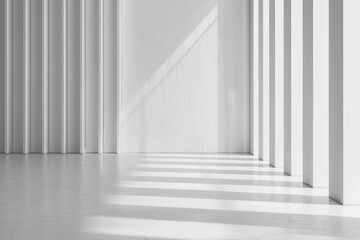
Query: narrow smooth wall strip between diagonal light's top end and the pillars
point(234, 66)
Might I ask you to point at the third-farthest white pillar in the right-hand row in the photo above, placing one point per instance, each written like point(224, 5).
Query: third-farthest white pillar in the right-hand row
point(277, 83)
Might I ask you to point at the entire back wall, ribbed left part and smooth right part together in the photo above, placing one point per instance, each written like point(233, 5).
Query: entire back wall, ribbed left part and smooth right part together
point(124, 75)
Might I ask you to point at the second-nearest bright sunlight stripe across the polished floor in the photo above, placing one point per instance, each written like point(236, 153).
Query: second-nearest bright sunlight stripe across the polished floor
point(236, 205)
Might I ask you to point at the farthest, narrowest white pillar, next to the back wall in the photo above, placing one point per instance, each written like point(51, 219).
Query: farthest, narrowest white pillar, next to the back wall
point(254, 77)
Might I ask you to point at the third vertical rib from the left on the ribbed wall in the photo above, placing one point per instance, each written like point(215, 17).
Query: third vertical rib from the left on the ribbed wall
point(45, 74)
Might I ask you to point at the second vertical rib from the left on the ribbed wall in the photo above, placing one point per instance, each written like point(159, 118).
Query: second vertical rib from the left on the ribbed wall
point(26, 77)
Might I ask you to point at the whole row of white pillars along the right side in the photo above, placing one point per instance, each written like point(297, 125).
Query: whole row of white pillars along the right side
point(306, 82)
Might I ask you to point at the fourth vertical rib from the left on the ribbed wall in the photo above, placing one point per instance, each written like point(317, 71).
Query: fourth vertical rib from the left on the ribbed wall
point(64, 77)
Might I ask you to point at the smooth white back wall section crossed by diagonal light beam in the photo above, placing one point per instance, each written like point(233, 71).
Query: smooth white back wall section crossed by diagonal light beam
point(185, 80)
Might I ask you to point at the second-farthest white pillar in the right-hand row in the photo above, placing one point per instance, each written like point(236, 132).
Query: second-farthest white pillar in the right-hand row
point(264, 124)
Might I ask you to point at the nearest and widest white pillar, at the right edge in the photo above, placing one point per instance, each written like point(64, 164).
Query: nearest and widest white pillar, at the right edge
point(344, 101)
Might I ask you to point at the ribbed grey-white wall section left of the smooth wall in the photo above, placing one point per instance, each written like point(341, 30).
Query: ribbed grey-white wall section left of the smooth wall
point(59, 76)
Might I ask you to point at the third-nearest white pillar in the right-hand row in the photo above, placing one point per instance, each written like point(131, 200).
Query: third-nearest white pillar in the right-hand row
point(293, 87)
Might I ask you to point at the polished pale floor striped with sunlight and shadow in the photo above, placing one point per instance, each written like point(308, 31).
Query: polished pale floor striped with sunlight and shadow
point(163, 196)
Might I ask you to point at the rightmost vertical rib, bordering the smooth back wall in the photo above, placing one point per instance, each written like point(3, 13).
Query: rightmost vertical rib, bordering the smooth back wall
point(119, 63)
